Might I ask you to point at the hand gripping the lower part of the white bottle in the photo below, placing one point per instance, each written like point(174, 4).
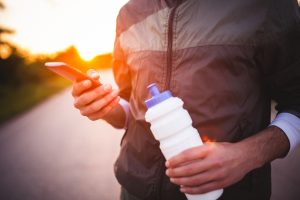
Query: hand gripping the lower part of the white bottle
point(208, 167)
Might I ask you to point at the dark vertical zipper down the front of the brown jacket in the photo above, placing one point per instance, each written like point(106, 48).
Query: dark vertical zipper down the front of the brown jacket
point(170, 45)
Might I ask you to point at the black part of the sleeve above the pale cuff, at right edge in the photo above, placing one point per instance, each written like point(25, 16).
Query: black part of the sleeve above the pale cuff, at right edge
point(282, 60)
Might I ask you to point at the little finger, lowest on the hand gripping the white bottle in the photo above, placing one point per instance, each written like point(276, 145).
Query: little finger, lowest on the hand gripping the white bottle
point(208, 187)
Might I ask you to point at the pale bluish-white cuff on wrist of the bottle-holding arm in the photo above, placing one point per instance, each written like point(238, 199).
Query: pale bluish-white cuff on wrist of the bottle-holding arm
point(290, 124)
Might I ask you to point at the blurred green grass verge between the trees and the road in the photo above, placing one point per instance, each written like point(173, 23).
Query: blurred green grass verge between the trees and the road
point(16, 100)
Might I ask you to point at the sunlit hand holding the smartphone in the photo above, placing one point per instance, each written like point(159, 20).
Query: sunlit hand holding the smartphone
point(94, 103)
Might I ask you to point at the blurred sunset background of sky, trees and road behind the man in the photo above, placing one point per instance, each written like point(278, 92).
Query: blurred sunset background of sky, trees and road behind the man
point(47, 149)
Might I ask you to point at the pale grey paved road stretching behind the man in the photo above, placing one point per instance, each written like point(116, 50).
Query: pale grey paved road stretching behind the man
point(53, 153)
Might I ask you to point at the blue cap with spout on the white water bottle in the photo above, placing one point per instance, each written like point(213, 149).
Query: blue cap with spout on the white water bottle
point(157, 97)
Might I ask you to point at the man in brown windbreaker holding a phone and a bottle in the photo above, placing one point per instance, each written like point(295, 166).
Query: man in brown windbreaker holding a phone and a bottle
point(226, 60)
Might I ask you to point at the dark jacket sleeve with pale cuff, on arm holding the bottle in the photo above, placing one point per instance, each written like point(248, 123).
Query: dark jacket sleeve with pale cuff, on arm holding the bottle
point(282, 69)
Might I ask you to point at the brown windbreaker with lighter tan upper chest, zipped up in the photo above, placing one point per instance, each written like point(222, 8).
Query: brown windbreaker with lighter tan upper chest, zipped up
point(225, 59)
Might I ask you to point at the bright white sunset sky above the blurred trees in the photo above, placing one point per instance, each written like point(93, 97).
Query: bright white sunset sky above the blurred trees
point(48, 26)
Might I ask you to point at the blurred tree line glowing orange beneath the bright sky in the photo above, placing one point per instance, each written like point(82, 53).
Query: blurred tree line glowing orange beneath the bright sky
point(18, 67)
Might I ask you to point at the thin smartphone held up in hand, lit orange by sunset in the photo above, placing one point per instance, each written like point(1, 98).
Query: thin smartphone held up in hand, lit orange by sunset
point(71, 73)
